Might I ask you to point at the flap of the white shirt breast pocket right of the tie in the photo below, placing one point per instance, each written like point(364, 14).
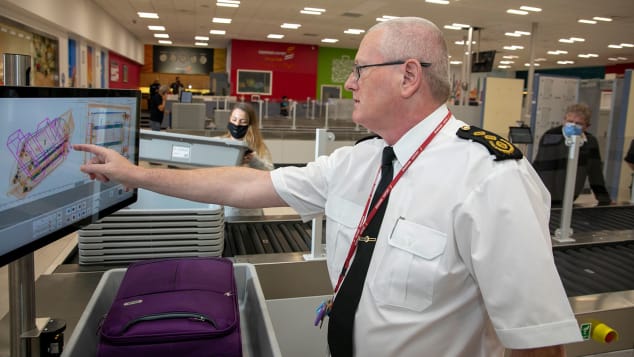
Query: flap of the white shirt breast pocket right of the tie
point(417, 239)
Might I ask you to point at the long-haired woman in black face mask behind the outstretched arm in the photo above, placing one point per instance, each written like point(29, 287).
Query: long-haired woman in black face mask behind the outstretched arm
point(243, 126)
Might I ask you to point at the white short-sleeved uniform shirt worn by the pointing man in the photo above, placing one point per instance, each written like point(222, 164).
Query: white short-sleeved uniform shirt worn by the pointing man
point(463, 263)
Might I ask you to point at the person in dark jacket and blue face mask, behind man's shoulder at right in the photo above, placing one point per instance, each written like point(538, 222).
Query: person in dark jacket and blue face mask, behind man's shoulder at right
point(552, 159)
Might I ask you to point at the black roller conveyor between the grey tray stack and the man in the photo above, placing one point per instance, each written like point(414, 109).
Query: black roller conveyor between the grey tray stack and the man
point(266, 237)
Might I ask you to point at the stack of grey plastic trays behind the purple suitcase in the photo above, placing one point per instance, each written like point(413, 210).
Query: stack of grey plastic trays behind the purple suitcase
point(156, 226)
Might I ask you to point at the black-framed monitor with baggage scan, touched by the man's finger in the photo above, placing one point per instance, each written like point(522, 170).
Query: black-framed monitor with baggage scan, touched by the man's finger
point(44, 195)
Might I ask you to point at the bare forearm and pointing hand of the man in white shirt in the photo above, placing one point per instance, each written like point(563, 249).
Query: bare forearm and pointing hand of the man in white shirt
point(236, 186)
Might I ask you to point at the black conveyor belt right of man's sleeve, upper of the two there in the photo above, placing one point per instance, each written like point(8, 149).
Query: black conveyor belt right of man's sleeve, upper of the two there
point(592, 219)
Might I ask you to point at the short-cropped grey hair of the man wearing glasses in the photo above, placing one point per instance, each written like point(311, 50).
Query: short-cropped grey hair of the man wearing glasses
point(415, 37)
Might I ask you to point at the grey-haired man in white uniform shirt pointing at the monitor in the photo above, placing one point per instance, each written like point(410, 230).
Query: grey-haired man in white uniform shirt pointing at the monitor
point(463, 264)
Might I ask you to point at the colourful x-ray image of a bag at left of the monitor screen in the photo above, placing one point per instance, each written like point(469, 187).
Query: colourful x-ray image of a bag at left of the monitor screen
point(39, 153)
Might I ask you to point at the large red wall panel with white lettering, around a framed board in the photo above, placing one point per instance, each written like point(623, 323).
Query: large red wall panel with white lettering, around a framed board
point(294, 67)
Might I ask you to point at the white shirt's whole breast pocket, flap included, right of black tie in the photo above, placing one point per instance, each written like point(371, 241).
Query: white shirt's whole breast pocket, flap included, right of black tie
point(406, 273)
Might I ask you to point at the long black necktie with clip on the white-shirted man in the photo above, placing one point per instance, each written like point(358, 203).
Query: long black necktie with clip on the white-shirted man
point(341, 320)
